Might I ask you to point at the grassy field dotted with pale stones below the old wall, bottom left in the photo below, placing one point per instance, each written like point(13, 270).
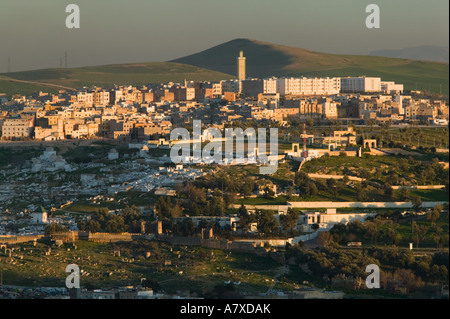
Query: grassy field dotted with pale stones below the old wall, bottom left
point(193, 268)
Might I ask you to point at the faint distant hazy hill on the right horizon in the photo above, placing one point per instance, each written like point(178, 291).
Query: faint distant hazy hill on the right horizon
point(422, 53)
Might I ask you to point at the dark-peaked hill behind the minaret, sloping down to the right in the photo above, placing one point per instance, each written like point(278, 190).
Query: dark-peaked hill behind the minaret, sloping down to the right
point(267, 59)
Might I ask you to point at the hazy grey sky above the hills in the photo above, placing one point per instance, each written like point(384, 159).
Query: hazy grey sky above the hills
point(34, 35)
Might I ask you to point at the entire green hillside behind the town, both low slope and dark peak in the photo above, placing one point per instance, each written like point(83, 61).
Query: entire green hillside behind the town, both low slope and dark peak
point(217, 63)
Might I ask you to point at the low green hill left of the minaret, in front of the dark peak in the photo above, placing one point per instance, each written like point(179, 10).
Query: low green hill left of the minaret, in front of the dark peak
point(51, 80)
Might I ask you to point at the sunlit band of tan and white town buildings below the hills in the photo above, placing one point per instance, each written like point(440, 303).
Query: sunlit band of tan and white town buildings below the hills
point(142, 113)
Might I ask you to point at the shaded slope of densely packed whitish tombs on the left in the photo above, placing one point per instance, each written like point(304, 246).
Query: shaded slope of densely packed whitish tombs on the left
point(50, 181)
